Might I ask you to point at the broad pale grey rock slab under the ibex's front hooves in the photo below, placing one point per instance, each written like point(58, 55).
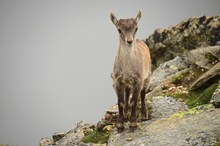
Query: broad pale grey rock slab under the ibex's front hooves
point(196, 127)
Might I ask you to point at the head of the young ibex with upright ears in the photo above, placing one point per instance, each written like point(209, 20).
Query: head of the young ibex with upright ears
point(127, 28)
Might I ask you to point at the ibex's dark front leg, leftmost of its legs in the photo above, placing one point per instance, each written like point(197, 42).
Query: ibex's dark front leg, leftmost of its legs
point(120, 90)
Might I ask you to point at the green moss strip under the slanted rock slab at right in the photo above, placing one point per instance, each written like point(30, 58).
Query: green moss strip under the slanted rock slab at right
point(204, 98)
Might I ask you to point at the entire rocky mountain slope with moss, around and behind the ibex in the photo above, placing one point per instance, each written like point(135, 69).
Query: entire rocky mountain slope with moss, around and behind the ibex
point(184, 95)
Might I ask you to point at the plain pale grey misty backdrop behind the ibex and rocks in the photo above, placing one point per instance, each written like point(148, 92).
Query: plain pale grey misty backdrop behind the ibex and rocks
point(56, 58)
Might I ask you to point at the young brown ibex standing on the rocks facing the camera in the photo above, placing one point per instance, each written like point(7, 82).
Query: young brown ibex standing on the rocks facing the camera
point(131, 71)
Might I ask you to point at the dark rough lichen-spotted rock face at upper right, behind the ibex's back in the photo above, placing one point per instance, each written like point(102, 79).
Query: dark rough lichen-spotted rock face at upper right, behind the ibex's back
point(165, 44)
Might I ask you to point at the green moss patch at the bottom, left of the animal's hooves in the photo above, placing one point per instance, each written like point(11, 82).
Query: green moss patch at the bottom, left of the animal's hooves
point(97, 136)
